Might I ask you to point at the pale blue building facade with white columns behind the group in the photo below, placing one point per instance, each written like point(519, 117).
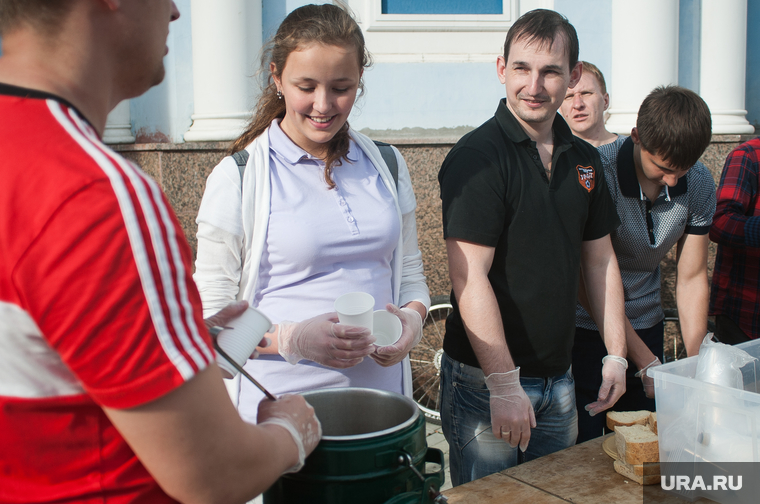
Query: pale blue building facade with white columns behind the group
point(434, 63)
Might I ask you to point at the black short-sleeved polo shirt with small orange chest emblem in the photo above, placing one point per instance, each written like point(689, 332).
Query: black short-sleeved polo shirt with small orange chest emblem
point(495, 193)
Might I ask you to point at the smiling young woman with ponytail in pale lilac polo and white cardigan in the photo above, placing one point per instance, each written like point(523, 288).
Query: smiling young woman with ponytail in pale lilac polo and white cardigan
point(316, 214)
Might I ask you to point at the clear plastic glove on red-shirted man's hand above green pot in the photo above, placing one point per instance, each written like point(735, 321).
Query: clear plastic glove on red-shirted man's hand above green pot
point(295, 415)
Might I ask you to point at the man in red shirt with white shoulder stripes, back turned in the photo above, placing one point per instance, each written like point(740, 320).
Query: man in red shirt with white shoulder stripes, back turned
point(108, 387)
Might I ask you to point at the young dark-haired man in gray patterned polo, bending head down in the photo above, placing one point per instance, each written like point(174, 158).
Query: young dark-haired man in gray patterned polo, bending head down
point(664, 197)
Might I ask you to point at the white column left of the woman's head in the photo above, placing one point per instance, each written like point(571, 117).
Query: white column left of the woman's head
point(226, 43)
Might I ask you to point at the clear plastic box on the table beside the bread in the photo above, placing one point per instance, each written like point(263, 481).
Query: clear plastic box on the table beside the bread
point(702, 422)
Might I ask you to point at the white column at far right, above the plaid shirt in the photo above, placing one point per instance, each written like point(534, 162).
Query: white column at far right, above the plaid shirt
point(723, 64)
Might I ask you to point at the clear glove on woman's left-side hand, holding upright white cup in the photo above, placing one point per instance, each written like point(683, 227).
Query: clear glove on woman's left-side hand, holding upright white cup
point(321, 339)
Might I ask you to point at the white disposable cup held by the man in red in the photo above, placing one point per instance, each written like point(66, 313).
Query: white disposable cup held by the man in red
point(240, 338)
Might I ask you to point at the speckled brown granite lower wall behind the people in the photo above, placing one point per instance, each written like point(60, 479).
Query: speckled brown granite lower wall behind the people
point(181, 169)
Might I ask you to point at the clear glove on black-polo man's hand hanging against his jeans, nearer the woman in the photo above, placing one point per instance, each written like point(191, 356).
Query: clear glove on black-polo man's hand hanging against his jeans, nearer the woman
point(512, 414)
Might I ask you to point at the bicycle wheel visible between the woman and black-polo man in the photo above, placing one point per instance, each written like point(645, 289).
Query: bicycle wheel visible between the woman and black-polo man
point(426, 360)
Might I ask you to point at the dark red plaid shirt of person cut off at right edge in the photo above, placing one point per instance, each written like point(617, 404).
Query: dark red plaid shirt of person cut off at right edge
point(736, 222)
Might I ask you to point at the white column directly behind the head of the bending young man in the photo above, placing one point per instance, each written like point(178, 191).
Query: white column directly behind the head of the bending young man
point(644, 56)
